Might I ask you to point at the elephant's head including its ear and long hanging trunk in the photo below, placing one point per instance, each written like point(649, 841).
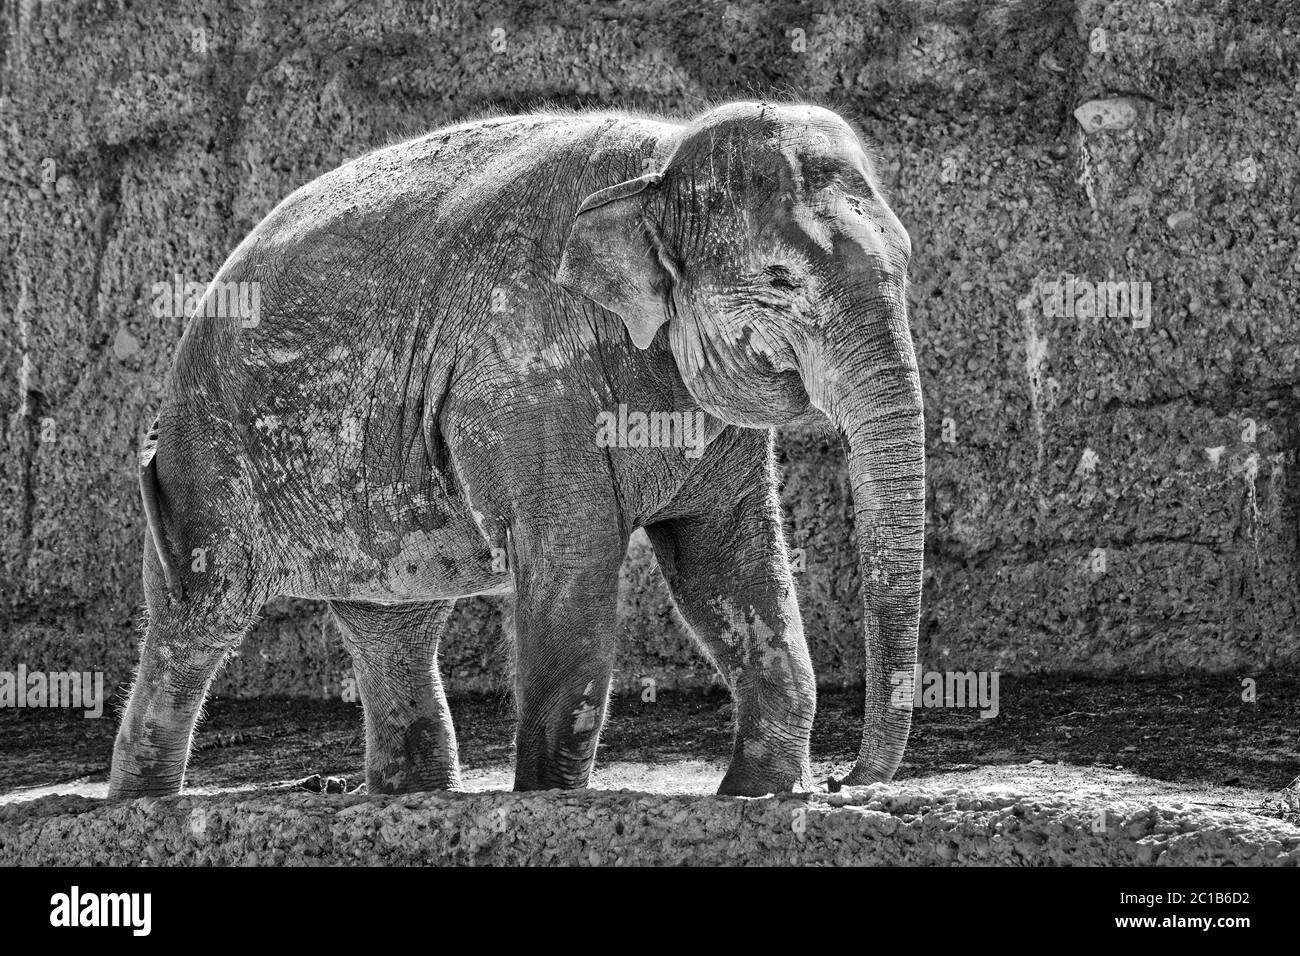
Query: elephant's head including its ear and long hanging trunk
point(766, 256)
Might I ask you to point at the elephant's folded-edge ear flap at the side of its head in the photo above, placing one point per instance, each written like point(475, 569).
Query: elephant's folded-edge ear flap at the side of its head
point(617, 258)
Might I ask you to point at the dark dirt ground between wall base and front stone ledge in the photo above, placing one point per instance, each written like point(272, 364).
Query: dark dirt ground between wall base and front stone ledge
point(1188, 739)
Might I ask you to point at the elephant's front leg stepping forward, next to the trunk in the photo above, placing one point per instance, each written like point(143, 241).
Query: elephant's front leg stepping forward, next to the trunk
point(731, 579)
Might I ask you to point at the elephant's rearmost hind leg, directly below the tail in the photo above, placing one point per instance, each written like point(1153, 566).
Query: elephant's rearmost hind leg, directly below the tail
point(184, 647)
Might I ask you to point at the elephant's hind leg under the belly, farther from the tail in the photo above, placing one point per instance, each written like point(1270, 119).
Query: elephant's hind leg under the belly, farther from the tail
point(410, 743)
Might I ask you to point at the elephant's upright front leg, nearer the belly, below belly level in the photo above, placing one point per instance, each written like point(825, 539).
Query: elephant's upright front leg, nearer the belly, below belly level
point(565, 613)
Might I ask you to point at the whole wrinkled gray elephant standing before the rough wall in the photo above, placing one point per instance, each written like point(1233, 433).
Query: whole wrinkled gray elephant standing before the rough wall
point(443, 322)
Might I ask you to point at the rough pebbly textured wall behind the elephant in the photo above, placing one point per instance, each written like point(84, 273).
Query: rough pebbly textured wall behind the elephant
point(1102, 496)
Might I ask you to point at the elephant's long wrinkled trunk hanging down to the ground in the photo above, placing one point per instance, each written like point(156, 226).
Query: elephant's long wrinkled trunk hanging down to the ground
point(881, 416)
